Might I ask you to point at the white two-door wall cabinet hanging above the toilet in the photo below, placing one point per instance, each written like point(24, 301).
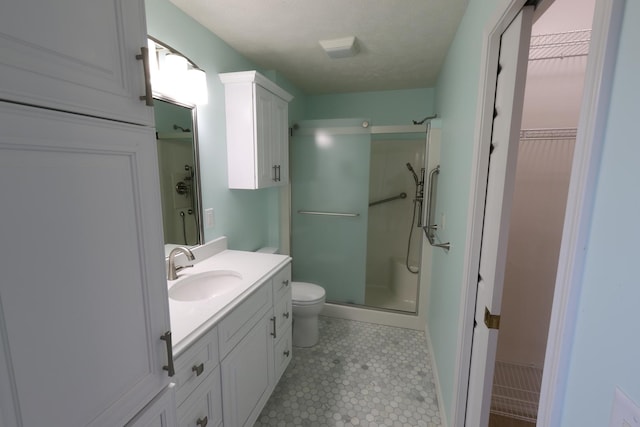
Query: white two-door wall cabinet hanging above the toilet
point(257, 131)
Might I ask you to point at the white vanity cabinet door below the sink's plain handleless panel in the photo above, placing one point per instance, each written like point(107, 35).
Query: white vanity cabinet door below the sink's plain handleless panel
point(248, 375)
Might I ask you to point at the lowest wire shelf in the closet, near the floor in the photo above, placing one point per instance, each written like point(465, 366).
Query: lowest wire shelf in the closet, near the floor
point(516, 391)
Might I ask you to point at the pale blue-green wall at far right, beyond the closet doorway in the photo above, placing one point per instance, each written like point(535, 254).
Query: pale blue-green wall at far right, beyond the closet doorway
point(606, 353)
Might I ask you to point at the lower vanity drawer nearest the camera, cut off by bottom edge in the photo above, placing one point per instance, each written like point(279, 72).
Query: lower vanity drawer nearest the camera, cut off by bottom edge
point(205, 406)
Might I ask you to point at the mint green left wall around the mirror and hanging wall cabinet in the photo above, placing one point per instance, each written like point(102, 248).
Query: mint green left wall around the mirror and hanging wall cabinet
point(246, 217)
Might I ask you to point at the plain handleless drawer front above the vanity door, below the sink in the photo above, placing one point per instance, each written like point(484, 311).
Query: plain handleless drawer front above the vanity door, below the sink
point(240, 321)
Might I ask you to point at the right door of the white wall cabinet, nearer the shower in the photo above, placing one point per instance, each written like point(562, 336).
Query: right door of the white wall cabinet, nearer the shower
point(280, 139)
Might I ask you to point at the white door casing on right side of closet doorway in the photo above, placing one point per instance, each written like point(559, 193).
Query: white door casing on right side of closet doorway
point(593, 116)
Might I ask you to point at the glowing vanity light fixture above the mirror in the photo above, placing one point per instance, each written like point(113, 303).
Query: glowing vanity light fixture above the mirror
point(174, 76)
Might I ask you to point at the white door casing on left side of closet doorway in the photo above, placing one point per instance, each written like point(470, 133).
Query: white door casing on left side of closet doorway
point(484, 122)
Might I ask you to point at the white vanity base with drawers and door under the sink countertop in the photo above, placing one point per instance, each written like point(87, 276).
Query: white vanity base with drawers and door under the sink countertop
point(253, 345)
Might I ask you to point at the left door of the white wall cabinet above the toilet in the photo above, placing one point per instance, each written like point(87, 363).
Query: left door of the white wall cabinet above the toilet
point(266, 172)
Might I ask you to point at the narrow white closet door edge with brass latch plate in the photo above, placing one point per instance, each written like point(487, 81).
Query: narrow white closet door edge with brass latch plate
point(512, 70)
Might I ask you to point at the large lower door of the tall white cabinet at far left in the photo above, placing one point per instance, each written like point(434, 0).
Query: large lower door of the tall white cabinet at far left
point(83, 297)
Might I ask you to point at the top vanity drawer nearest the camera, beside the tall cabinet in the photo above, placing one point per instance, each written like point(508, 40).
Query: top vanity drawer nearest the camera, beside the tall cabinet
point(193, 366)
